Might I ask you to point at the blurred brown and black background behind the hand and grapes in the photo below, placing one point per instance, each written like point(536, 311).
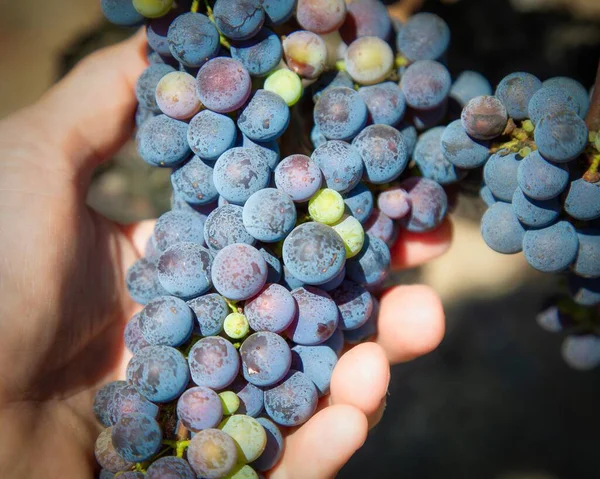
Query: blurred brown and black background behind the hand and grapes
point(495, 400)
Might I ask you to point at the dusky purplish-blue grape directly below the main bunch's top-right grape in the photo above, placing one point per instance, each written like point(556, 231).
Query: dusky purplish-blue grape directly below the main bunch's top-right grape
point(426, 84)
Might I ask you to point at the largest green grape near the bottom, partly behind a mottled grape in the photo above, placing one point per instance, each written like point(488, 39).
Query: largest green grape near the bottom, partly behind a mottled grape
point(249, 436)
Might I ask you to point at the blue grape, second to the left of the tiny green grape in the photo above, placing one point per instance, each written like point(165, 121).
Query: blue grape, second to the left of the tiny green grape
point(167, 321)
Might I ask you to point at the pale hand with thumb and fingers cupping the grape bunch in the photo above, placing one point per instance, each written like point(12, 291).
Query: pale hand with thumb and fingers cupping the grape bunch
point(63, 302)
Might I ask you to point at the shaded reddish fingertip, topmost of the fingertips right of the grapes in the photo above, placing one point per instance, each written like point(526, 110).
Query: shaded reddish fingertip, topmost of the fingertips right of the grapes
point(413, 249)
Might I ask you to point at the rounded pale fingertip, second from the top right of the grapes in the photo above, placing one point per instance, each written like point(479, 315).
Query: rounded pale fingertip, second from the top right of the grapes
point(411, 322)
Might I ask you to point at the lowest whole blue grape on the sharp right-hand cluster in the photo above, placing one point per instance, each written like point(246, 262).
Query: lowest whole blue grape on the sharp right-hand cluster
point(551, 249)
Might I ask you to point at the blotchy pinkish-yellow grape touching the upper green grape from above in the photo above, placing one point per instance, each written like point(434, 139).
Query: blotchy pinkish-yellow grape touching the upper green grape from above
point(305, 53)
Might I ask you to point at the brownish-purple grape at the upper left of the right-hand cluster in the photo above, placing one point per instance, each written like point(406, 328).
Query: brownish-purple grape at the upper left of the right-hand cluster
point(484, 117)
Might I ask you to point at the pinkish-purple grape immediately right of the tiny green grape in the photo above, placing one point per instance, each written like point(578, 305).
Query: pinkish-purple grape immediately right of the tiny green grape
point(273, 309)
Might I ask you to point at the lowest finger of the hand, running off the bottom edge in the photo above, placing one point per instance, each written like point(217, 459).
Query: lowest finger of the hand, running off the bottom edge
point(320, 448)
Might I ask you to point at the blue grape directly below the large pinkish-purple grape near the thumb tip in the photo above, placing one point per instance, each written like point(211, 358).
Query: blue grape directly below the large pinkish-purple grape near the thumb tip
point(211, 134)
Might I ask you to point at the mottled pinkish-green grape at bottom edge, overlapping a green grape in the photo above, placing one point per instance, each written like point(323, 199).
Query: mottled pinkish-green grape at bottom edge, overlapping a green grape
point(212, 454)
